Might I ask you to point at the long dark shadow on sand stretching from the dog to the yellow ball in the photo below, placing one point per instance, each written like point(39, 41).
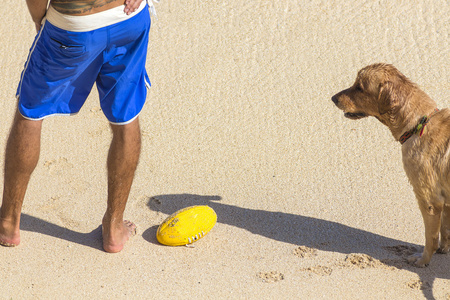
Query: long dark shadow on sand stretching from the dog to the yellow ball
point(304, 231)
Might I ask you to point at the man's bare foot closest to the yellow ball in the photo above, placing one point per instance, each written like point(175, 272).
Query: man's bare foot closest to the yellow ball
point(115, 238)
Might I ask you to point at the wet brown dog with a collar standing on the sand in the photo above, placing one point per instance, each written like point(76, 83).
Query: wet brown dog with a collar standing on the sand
point(381, 91)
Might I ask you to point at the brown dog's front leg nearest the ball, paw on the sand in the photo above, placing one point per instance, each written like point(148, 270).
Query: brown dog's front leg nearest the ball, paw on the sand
point(432, 220)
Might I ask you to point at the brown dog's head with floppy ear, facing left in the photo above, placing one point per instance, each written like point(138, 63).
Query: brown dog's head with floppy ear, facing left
point(378, 90)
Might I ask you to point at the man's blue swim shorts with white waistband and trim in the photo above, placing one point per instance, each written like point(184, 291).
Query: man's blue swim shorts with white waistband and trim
point(70, 53)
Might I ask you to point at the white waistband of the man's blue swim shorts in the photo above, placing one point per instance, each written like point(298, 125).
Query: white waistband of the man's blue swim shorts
point(90, 22)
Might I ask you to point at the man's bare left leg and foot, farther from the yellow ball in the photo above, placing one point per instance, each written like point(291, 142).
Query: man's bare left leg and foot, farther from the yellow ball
point(21, 157)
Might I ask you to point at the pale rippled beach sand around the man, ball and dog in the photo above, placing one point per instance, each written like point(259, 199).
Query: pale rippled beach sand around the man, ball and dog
point(310, 205)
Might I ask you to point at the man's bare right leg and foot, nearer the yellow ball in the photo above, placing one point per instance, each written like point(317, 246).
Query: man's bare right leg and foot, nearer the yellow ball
point(122, 162)
